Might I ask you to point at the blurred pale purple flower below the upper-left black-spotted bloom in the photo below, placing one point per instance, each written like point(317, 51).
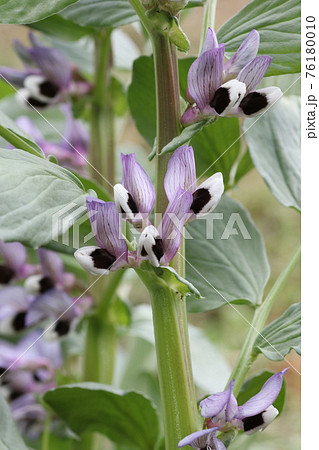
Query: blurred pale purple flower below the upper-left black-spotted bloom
point(72, 150)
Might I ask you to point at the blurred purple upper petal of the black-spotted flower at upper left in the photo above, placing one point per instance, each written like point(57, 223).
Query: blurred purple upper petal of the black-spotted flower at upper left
point(53, 65)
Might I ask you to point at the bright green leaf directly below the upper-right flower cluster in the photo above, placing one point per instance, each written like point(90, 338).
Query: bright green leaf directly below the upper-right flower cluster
point(217, 147)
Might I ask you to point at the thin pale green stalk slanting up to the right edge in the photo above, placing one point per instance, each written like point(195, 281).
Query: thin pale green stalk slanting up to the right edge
point(247, 355)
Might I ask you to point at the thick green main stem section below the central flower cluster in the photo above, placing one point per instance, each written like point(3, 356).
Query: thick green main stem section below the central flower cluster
point(174, 367)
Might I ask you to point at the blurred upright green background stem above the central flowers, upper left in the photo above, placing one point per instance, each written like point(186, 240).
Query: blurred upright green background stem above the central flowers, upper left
point(102, 122)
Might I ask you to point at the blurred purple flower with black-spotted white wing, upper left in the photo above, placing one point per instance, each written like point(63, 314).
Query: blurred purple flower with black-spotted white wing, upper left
point(48, 77)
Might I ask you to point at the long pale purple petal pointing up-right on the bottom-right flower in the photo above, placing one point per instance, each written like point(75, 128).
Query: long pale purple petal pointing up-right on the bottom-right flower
point(265, 397)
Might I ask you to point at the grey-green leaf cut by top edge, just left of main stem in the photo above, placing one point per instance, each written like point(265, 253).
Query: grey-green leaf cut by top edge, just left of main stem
point(101, 13)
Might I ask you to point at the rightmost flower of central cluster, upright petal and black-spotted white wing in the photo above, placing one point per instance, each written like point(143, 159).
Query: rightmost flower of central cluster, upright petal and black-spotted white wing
point(181, 172)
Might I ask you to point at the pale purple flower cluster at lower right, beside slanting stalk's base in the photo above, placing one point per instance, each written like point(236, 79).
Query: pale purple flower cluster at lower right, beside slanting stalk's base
point(254, 415)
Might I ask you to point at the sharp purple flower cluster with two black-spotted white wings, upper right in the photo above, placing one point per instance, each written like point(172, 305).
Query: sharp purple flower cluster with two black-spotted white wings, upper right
point(216, 88)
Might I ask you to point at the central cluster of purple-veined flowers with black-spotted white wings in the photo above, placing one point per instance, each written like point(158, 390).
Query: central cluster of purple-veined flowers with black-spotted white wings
point(134, 200)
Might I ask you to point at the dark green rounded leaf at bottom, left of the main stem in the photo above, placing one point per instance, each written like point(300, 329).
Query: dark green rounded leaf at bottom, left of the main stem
point(125, 417)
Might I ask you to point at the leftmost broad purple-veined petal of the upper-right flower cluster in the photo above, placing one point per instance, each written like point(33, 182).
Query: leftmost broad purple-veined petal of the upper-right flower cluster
point(205, 76)
